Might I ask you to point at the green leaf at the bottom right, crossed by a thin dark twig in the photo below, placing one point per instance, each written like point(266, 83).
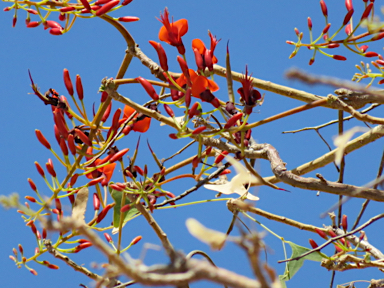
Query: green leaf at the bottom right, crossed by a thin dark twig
point(294, 266)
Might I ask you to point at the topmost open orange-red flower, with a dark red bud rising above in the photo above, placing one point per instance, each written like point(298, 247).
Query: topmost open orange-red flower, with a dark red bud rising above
point(171, 33)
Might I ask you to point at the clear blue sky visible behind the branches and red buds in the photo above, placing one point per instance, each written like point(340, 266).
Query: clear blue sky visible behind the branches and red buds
point(257, 31)
